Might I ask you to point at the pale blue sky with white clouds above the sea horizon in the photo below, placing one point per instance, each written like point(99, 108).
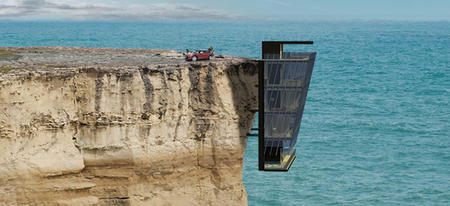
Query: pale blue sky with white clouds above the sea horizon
point(225, 10)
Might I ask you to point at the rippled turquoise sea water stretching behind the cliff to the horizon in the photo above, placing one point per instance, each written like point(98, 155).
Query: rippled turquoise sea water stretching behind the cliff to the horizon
point(376, 127)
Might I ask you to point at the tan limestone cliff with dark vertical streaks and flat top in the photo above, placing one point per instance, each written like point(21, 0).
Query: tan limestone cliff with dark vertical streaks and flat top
point(122, 127)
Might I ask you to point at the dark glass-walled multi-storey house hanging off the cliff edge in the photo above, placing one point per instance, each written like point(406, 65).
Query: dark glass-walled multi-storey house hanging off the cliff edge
point(285, 77)
